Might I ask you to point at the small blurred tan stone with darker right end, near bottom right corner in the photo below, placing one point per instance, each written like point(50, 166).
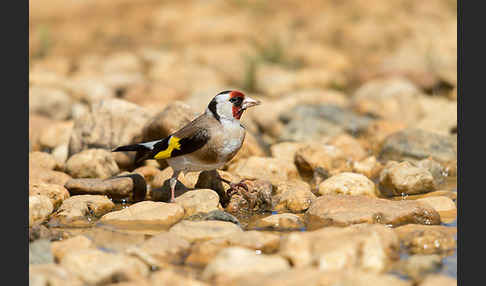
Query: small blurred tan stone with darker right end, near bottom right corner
point(418, 265)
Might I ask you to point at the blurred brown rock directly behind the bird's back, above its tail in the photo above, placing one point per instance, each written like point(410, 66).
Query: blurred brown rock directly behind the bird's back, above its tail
point(172, 118)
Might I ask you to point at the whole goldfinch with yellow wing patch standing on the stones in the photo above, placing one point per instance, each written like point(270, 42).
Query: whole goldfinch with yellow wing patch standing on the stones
point(204, 144)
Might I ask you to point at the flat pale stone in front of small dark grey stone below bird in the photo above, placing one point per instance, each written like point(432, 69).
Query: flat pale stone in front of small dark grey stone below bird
point(194, 231)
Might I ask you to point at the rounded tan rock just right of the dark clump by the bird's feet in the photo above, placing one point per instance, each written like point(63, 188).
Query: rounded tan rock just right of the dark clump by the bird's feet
point(293, 196)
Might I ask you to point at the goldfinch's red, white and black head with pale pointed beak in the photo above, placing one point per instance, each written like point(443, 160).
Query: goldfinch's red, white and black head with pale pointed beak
point(230, 105)
